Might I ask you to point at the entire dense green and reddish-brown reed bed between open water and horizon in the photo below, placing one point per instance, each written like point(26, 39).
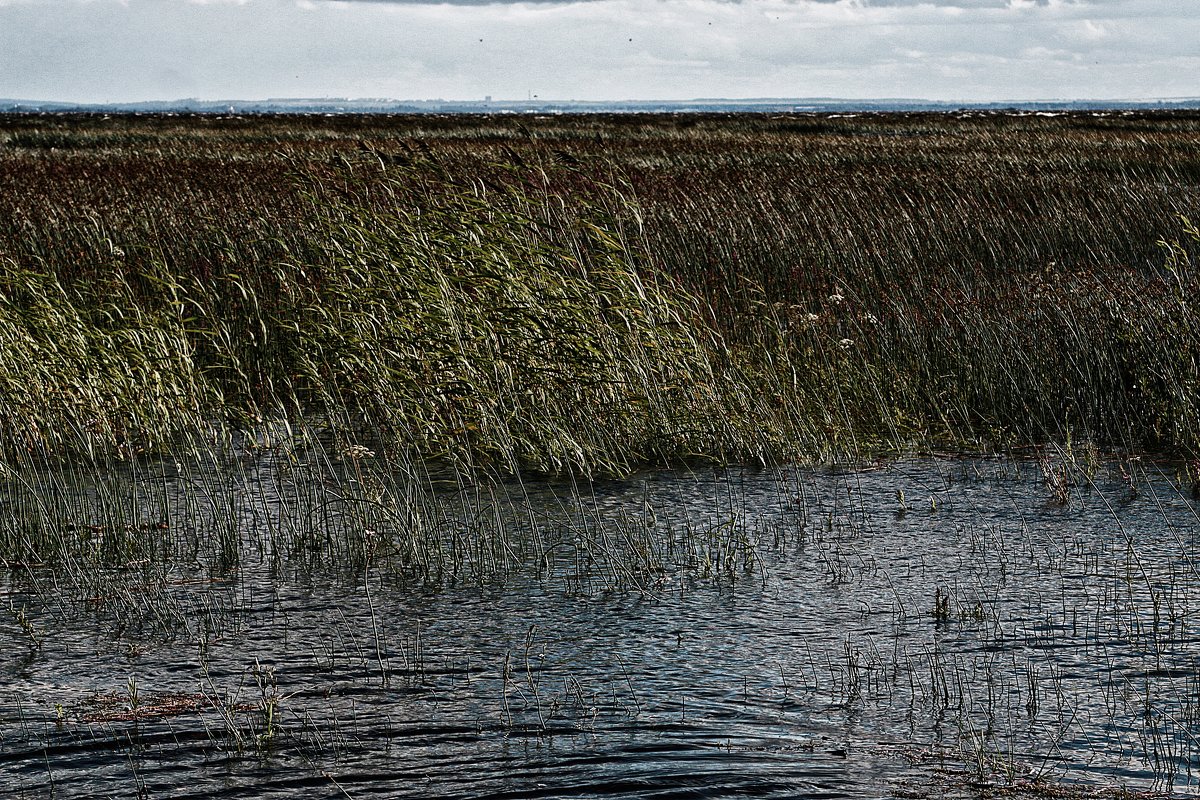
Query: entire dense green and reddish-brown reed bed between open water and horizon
point(593, 296)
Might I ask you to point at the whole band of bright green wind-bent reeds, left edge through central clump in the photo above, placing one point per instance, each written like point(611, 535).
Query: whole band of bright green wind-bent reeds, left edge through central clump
point(490, 328)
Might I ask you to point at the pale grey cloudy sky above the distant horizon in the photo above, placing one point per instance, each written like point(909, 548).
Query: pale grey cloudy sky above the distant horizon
point(969, 51)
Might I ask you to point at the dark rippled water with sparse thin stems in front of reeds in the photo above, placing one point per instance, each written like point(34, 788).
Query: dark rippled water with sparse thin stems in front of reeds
point(938, 627)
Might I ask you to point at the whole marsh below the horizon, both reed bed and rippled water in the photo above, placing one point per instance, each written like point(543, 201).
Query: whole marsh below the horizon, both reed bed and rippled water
point(601, 456)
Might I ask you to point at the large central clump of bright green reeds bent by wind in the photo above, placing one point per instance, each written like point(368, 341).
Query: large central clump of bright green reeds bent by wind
point(501, 329)
